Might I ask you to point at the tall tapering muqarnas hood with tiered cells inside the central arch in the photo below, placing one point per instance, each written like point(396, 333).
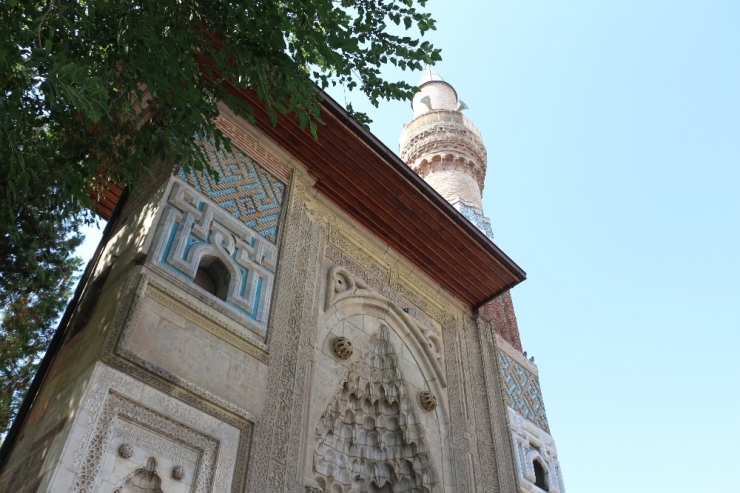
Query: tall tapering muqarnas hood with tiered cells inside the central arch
point(370, 438)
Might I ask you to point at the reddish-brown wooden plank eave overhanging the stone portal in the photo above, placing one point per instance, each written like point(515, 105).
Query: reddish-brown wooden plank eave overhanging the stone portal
point(359, 174)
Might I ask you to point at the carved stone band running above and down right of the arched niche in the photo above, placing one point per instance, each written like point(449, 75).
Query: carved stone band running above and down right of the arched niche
point(479, 463)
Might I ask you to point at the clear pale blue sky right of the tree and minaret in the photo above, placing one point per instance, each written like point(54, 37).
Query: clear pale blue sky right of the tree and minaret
point(613, 137)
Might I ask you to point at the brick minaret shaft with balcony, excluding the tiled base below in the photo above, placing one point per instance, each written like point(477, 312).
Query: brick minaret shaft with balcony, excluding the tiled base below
point(446, 149)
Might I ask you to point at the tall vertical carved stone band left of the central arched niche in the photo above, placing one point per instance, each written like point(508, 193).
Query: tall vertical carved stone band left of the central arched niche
point(277, 454)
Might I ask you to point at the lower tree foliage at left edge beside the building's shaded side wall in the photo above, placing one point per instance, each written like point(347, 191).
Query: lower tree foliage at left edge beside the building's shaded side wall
point(38, 274)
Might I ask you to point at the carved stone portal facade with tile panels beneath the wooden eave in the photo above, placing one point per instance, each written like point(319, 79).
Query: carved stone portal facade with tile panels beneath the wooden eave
point(245, 334)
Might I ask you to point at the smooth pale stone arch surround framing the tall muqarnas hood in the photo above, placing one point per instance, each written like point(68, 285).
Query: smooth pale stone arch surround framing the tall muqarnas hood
point(354, 311)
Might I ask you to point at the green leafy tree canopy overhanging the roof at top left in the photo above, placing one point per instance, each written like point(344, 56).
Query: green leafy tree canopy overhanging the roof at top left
point(99, 88)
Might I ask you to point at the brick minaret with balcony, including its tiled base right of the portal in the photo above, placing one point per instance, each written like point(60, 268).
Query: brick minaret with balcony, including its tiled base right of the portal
point(444, 147)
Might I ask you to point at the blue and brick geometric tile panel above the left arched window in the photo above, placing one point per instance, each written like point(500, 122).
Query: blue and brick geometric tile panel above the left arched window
point(243, 188)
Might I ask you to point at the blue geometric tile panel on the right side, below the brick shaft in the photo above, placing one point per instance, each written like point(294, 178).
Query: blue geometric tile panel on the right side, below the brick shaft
point(522, 389)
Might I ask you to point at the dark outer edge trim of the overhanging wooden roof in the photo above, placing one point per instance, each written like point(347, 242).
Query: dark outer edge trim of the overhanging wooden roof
point(404, 170)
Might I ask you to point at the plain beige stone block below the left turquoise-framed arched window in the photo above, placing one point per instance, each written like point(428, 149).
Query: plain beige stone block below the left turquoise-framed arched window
point(169, 335)
